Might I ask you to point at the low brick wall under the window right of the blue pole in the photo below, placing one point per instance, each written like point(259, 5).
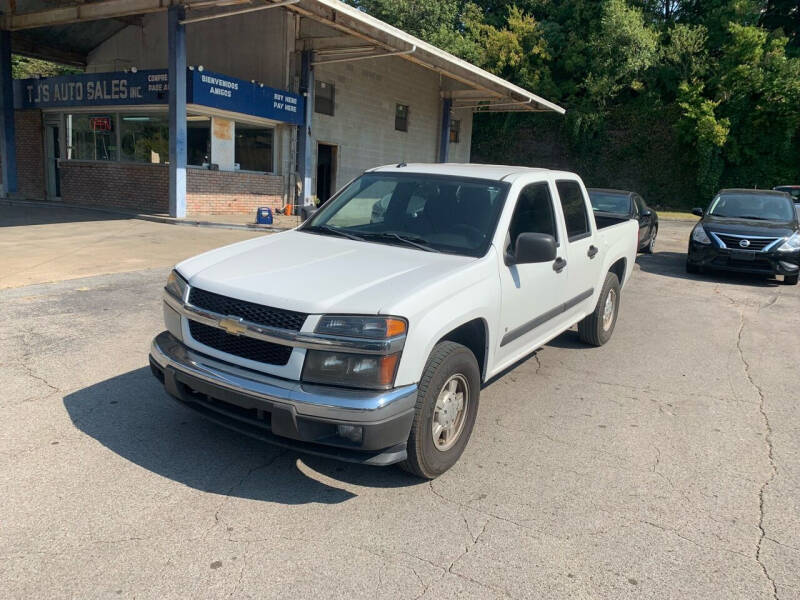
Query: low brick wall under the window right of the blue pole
point(226, 192)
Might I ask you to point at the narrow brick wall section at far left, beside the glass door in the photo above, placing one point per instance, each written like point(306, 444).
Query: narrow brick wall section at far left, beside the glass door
point(30, 154)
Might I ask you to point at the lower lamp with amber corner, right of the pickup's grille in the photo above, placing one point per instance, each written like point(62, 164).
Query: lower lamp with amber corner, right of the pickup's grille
point(350, 370)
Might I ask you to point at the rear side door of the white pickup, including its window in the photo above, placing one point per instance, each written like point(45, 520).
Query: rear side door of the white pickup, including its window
point(583, 254)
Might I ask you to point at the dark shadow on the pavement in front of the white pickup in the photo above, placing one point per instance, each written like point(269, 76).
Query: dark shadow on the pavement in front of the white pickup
point(132, 416)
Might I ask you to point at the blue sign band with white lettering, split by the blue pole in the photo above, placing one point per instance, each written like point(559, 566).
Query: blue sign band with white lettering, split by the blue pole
point(151, 87)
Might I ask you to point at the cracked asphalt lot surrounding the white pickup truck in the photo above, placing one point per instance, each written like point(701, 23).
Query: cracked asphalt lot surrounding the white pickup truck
point(663, 465)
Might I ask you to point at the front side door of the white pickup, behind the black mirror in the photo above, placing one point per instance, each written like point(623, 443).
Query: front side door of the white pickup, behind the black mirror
point(532, 295)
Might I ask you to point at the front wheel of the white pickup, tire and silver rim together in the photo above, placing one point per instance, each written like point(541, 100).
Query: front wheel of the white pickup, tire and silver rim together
point(447, 405)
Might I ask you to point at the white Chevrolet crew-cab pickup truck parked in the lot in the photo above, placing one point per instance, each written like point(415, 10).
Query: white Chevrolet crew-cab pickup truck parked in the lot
point(367, 333)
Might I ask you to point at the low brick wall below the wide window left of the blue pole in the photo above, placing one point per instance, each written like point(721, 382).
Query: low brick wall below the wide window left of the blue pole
point(137, 187)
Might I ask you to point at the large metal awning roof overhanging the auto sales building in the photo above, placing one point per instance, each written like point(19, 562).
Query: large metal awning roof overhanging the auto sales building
point(67, 31)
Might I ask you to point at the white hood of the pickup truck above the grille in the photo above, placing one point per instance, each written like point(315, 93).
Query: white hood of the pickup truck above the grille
point(318, 274)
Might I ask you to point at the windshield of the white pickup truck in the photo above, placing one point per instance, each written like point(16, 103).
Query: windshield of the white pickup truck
point(425, 212)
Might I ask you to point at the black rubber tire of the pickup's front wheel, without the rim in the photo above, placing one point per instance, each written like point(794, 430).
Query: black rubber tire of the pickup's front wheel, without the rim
point(447, 361)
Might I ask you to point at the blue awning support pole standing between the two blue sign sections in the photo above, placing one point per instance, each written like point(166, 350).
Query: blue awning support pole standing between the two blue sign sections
point(176, 37)
